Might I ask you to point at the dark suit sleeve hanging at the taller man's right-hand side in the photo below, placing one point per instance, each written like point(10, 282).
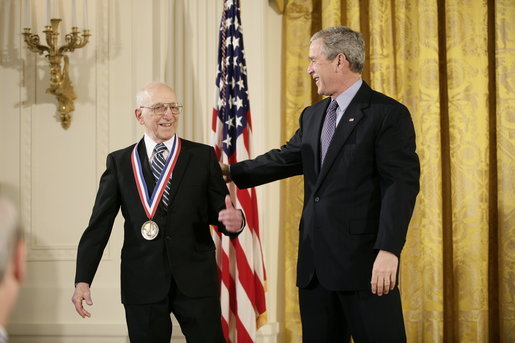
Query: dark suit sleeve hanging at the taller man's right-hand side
point(399, 171)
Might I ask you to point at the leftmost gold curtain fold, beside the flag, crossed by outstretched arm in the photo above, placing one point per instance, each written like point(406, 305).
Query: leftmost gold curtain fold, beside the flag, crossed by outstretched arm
point(297, 94)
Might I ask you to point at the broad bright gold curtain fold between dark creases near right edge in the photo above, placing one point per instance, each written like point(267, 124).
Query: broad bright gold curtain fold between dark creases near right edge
point(467, 92)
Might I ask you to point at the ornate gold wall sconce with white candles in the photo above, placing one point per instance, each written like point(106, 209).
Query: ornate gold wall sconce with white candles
point(60, 83)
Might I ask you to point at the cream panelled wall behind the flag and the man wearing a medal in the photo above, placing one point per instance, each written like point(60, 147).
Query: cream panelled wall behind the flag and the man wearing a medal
point(54, 172)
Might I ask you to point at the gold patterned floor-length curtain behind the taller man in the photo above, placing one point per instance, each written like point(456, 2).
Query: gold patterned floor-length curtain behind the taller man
point(452, 63)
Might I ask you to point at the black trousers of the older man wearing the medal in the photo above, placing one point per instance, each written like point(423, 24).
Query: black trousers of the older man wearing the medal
point(200, 319)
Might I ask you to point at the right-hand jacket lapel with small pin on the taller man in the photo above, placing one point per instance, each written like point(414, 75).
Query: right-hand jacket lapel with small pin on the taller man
point(352, 116)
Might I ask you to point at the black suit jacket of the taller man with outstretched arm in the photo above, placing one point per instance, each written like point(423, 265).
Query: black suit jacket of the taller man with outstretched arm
point(360, 201)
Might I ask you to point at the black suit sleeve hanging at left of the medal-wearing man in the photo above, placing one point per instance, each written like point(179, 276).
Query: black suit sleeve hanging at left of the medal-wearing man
point(96, 235)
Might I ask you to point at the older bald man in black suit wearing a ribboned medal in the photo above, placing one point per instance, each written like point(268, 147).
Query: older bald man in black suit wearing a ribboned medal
point(169, 190)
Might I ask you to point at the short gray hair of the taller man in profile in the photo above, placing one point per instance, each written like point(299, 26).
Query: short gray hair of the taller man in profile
point(343, 40)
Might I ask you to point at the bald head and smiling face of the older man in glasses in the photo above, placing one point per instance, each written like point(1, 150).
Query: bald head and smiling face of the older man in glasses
point(162, 127)
